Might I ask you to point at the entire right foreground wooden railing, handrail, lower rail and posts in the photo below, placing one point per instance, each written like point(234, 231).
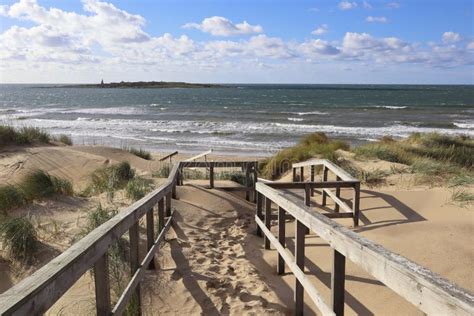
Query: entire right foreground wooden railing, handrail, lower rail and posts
point(418, 285)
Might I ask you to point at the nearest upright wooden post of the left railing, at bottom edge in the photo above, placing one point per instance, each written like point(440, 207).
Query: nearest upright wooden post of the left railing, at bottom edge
point(102, 286)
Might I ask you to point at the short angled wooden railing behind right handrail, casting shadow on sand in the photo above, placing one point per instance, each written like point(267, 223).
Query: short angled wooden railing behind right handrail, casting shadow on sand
point(341, 176)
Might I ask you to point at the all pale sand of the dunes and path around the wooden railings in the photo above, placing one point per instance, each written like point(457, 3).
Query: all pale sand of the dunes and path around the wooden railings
point(212, 261)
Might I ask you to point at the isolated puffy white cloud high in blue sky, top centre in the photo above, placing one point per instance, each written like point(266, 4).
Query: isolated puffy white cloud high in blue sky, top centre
point(220, 26)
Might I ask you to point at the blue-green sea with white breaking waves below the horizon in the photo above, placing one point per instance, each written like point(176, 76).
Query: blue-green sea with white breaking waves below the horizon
point(256, 119)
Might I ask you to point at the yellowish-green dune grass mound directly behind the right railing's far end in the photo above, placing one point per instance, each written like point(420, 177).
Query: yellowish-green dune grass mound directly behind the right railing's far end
point(317, 144)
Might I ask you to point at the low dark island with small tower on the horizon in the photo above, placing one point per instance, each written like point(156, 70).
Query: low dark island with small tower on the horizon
point(143, 84)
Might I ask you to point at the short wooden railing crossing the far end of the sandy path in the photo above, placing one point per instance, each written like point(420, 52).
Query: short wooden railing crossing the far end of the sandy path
point(248, 167)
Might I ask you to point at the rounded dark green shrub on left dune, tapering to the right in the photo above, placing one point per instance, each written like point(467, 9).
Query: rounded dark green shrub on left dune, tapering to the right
point(39, 184)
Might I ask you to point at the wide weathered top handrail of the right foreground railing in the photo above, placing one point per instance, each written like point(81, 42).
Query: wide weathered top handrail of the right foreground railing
point(428, 291)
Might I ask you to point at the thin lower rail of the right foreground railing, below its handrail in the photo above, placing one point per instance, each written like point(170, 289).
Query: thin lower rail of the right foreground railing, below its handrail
point(304, 280)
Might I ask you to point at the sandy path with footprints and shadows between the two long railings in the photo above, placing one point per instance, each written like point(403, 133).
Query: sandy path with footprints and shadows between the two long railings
point(211, 261)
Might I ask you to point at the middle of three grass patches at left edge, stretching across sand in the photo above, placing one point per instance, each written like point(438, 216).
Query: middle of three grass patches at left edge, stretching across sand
point(37, 184)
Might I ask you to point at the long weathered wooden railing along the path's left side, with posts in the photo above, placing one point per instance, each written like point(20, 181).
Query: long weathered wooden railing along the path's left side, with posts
point(38, 292)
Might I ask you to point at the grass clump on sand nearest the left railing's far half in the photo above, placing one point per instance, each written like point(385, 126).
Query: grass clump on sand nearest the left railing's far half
point(109, 179)
